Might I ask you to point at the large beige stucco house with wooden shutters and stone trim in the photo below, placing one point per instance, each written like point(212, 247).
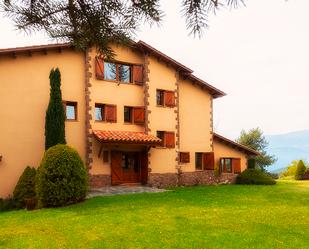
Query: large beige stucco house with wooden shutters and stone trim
point(141, 118)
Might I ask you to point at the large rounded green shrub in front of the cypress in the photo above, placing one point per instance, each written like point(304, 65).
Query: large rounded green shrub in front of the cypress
point(61, 177)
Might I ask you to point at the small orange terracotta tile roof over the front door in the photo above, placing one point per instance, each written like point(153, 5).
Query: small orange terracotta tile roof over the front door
point(128, 137)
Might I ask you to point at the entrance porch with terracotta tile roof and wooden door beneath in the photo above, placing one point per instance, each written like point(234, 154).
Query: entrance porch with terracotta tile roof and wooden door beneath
point(125, 155)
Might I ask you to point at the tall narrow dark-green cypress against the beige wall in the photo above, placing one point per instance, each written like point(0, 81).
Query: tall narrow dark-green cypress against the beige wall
point(55, 116)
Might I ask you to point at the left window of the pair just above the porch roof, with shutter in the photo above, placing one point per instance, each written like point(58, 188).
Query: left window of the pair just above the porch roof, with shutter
point(105, 112)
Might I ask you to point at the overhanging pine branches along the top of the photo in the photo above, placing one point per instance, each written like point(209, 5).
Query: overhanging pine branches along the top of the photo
point(86, 23)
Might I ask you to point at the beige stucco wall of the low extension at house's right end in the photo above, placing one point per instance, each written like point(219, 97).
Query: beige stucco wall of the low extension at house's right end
point(223, 150)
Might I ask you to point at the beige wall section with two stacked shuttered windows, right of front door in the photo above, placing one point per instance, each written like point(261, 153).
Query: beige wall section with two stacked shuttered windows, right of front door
point(162, 160)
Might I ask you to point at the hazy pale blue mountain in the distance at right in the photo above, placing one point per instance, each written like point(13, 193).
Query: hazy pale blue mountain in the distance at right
point(288, 147)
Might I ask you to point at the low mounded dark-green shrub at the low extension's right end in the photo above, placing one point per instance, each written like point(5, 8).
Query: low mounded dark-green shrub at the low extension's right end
point(254, 176)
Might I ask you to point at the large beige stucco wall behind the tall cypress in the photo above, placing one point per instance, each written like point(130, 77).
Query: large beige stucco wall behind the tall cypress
point(24, 96)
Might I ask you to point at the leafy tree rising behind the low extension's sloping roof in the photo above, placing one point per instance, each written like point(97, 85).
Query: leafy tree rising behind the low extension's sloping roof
point(255, 140)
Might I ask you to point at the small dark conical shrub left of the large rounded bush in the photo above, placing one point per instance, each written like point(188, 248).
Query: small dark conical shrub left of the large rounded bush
point(25, 187)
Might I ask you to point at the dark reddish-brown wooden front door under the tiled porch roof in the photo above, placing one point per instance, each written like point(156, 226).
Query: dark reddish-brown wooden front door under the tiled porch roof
point(125, 167)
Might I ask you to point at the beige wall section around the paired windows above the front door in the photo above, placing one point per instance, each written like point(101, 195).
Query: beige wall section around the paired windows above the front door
point(120, 94)
